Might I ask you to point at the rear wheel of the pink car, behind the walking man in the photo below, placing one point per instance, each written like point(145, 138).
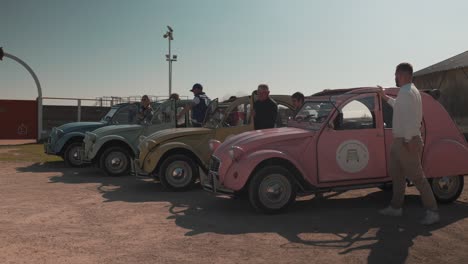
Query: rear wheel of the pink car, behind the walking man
point(447, 189)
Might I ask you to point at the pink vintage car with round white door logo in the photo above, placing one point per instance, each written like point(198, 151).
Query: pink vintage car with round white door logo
point(339, 140)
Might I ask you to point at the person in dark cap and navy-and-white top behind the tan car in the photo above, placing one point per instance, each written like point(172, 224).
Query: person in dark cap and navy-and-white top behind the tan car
point(199, 105)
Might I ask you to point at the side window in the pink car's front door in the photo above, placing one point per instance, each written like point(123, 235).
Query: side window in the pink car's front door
point(358, 114)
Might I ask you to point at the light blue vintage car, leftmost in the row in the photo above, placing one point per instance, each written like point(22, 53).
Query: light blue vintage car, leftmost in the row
point(67, 140)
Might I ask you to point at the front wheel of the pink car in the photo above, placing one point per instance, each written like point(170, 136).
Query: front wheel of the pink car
point(272, 190)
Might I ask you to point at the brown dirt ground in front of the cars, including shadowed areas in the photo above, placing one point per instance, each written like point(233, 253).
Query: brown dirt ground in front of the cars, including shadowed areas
point(53, 214)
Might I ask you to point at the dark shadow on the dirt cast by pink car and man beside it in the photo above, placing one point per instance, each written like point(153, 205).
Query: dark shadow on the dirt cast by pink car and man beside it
point(352, 223)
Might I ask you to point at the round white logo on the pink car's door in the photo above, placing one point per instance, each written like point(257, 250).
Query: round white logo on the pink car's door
point(352, 156)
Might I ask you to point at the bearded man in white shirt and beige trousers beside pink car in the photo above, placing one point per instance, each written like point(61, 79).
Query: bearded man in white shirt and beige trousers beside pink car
point(406, 150)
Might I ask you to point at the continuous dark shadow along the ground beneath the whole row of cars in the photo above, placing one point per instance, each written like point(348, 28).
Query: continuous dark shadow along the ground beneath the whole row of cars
point(339, 221)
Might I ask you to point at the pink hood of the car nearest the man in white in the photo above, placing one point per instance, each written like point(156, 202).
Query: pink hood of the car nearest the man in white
point(258, 139)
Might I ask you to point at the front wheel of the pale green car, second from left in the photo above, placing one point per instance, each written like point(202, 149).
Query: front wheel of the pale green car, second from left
point(115, 161)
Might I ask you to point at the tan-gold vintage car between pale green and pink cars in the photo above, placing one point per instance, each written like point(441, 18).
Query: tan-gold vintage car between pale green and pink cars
point(176, 155)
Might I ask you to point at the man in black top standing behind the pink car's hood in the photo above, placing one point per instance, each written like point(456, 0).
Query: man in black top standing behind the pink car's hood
point(265, 110)
